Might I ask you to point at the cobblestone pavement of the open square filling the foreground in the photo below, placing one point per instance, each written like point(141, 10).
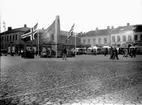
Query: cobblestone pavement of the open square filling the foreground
point(82, 80)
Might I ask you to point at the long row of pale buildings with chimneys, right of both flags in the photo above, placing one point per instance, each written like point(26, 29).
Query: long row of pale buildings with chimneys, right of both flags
point(120, 36)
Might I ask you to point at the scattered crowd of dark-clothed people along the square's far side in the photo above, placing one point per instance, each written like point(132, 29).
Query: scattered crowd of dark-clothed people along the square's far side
point(112, 51)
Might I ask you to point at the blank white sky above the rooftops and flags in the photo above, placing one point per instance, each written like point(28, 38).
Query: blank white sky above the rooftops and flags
point(86, 14)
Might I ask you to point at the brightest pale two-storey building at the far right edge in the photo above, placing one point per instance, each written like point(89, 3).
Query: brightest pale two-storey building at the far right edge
point(126, 35)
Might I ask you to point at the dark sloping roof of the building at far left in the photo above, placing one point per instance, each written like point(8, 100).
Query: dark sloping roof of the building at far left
point(22, 29)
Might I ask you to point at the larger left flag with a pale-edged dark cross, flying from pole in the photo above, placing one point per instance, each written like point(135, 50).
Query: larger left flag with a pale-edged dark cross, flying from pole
point(30, 34)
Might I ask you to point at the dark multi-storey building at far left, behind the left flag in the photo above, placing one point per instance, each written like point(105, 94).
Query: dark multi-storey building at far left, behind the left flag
point(11, 39)
